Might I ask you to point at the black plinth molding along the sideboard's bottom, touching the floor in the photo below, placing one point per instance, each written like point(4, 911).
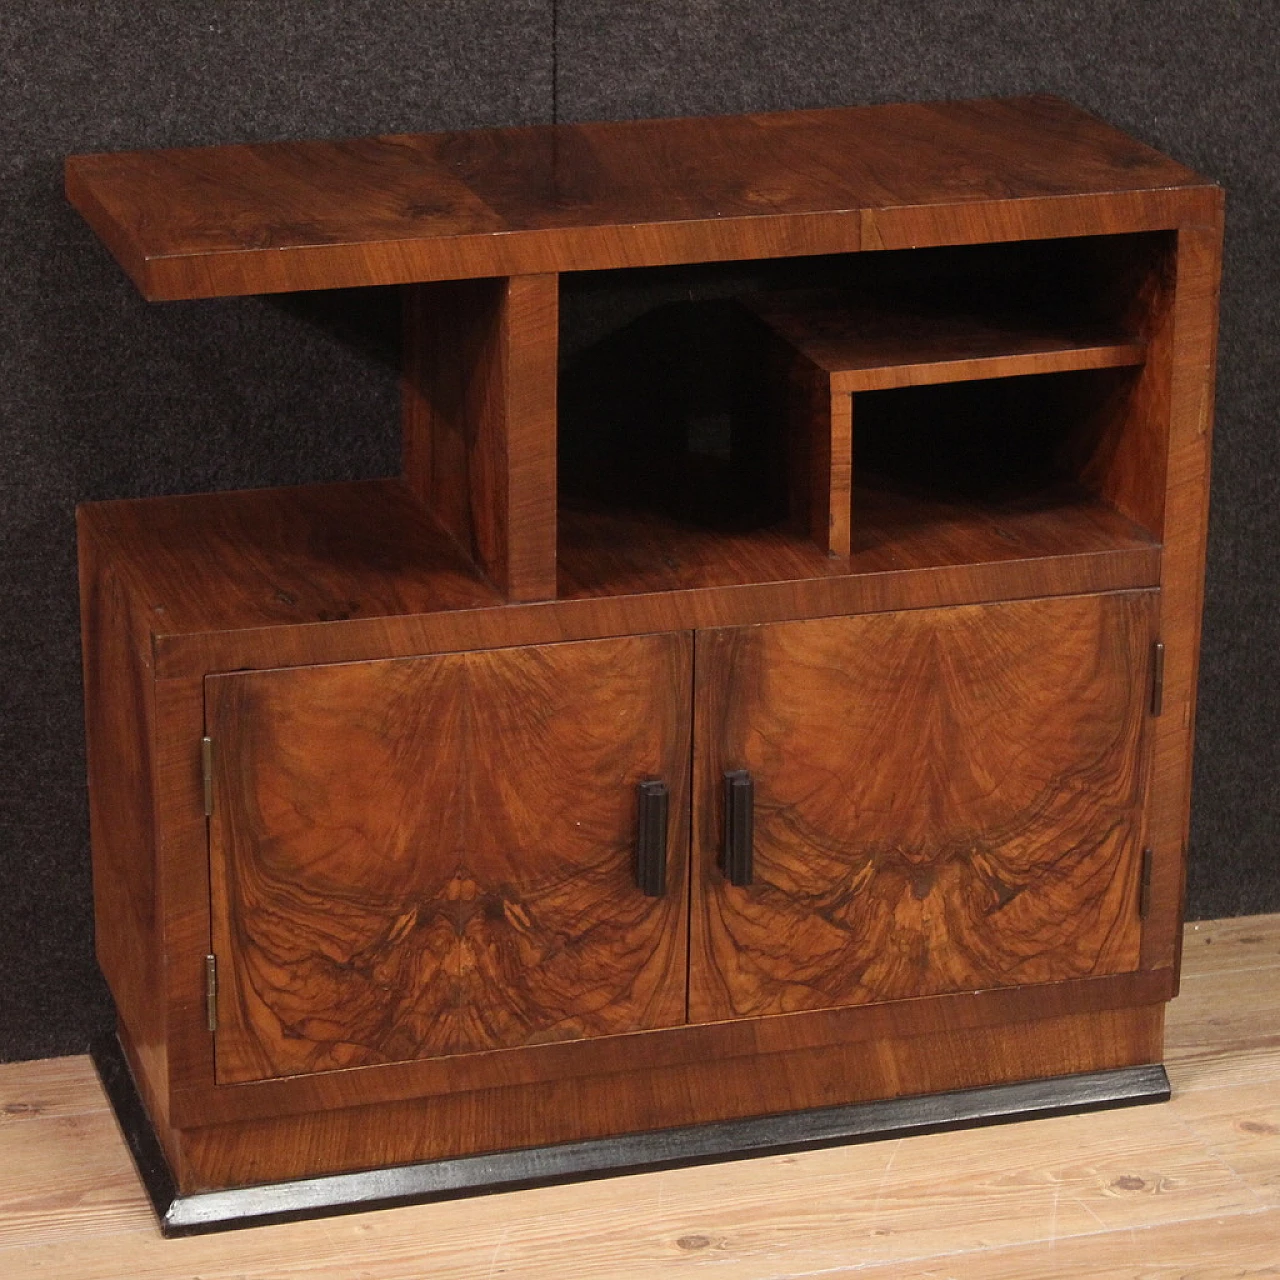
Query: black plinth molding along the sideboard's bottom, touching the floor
point(602, 1158)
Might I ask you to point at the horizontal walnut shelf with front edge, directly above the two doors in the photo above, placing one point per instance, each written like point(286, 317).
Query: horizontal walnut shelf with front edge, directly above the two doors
point(237, 580)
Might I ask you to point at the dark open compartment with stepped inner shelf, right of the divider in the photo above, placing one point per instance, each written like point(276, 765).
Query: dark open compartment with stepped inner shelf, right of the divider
point(898, 410)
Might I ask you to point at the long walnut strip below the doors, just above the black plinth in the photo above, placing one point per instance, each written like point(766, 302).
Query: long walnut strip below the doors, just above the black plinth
point(655, 1099)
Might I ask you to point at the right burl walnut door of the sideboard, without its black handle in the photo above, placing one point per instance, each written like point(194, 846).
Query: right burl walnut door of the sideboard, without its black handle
point(945, 801)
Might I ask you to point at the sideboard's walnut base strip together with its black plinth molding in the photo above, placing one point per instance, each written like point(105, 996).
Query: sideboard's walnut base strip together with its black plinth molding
point(446, 1146)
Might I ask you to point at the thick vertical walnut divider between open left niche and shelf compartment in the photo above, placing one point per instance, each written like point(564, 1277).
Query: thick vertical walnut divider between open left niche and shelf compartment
point(479, 420)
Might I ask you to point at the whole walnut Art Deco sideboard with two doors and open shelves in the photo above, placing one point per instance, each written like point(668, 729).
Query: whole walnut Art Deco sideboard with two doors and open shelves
point(756, 721)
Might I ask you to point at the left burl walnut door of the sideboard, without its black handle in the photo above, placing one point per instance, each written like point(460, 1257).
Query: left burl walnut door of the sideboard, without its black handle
point(436, 856)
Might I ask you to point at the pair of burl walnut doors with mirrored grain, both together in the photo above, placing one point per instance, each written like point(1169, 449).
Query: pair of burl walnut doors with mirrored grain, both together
point(436, 857)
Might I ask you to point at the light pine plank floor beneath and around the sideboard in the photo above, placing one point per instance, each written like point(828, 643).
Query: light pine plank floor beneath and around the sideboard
point(1187, 1190)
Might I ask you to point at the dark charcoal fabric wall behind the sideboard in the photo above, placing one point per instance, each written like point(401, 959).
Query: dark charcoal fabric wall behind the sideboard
point(104, 396)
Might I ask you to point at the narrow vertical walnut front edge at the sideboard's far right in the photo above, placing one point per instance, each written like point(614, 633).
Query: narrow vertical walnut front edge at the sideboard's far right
point(1195, 340)
